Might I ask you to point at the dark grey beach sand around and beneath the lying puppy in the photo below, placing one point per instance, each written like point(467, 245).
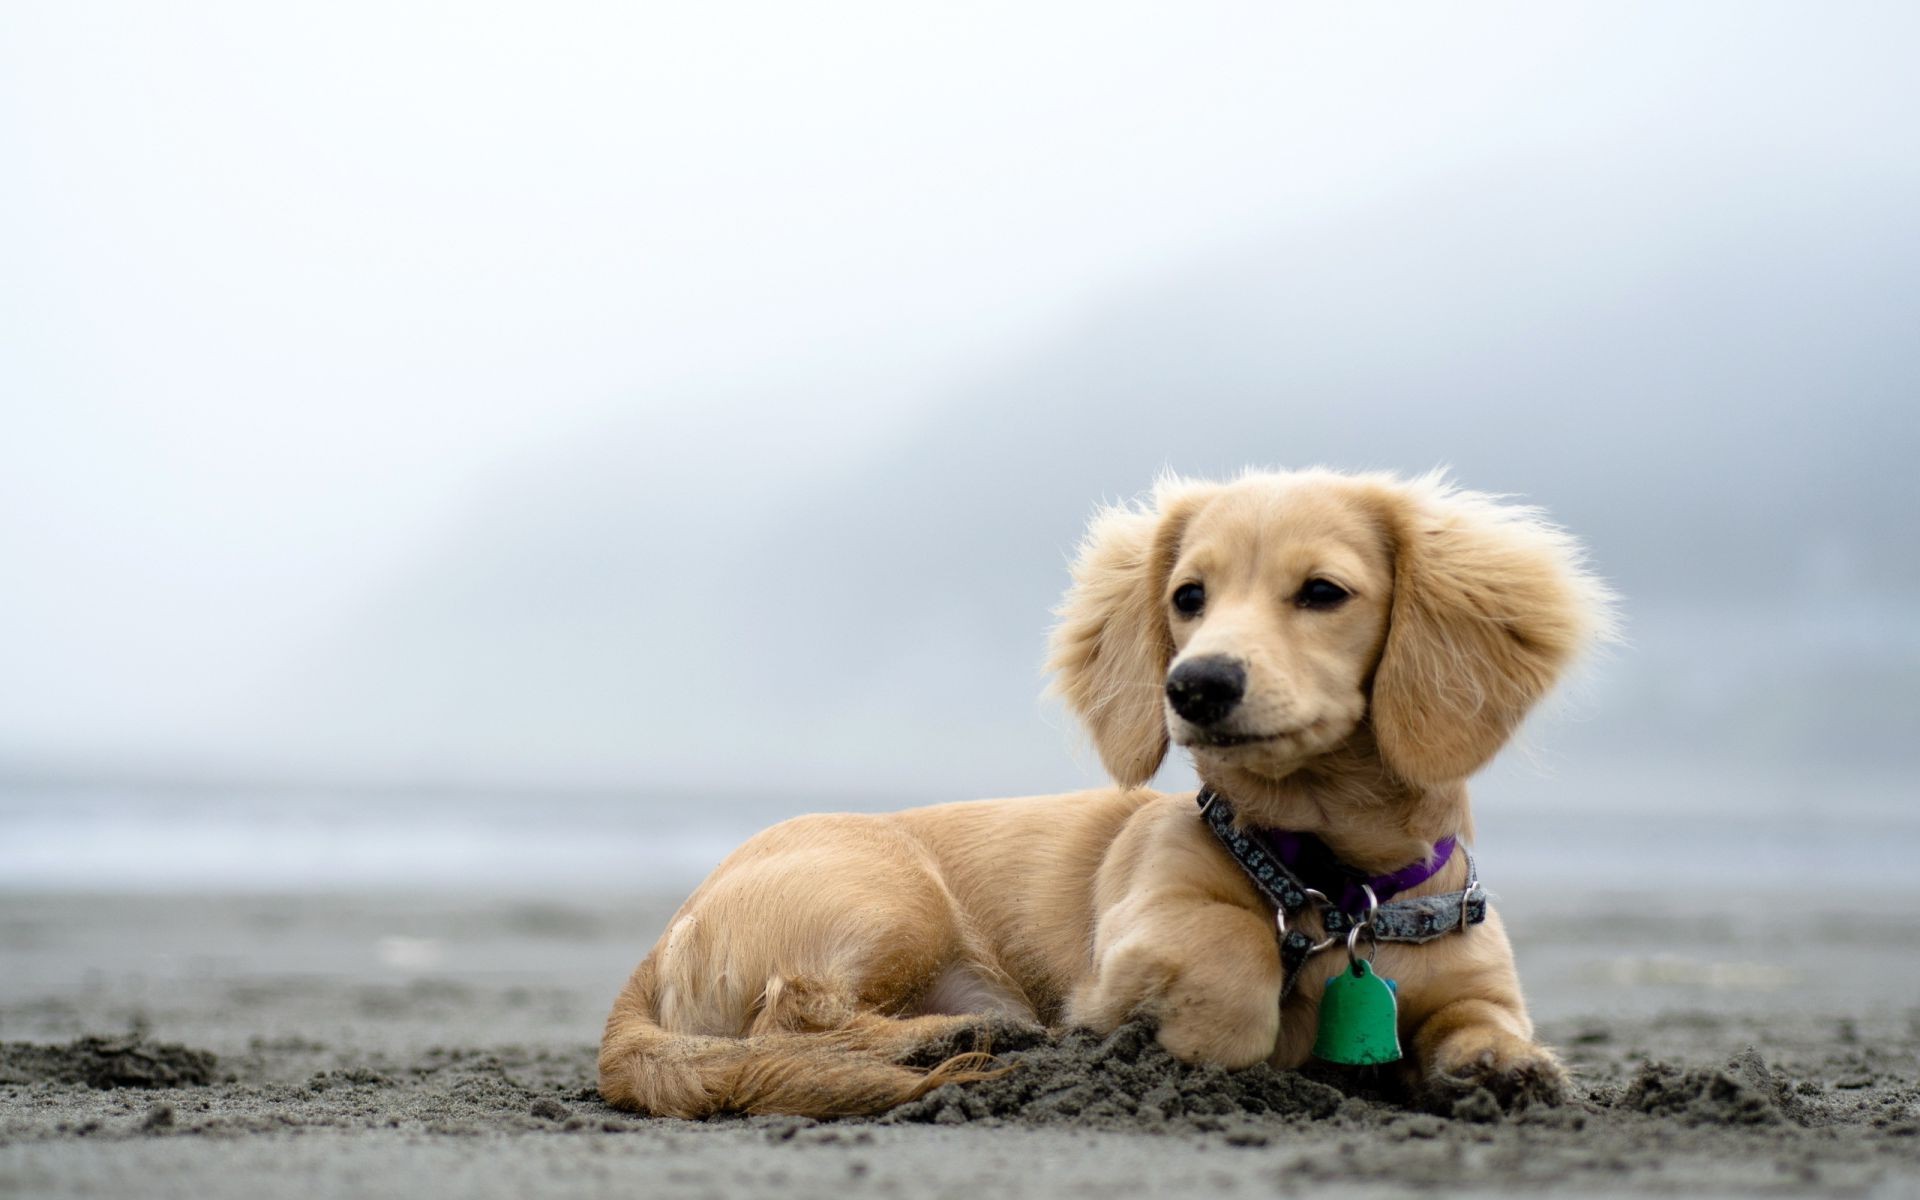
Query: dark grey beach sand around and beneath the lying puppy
point(383, 1047)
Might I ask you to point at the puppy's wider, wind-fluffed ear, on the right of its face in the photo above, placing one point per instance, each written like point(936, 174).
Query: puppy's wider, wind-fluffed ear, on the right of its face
point(1491, 606)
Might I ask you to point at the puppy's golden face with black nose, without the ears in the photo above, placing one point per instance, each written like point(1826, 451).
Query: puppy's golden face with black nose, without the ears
point(1278, 606)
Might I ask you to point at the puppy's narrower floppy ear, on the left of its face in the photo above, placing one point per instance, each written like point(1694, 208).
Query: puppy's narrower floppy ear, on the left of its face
point(1113, 646)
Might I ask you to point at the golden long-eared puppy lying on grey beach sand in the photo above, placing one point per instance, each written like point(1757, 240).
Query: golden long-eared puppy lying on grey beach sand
point(1335, 652)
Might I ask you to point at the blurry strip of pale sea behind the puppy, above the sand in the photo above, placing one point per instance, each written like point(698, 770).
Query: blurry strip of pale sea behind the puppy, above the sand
point(1627, 825)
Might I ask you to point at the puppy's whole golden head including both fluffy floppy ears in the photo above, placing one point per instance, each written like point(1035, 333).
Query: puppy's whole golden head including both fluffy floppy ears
point(1266, 621)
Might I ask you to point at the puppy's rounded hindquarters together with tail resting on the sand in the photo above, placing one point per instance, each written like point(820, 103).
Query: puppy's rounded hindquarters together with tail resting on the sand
point(794, 982)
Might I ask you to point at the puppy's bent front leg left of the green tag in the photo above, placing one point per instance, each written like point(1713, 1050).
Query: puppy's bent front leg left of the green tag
point(1205, 971)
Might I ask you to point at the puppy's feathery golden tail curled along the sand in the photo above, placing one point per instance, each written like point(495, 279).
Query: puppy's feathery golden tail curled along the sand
point(813, 1074)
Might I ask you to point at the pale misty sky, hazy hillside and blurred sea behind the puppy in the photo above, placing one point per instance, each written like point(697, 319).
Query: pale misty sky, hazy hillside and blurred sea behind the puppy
point(535, 446)
